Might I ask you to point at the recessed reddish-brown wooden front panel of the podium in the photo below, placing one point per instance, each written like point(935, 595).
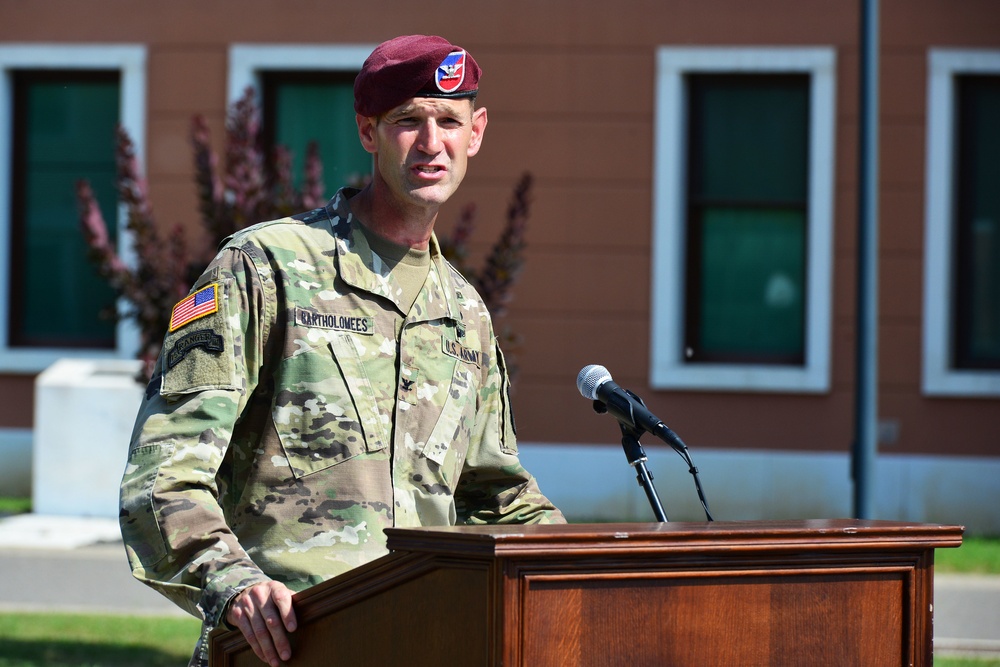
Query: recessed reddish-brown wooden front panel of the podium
point(735, 619)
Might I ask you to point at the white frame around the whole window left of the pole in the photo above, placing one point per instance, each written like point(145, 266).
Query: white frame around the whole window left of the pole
point(668, 368)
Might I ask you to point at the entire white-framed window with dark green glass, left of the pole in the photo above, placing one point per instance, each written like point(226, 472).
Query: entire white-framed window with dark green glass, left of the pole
point(743, 219)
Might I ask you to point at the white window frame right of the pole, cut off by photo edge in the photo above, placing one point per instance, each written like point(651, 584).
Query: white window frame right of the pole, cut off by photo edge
point(939, 377)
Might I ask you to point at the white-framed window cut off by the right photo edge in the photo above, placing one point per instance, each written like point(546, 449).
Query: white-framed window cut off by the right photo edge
point(962, 276)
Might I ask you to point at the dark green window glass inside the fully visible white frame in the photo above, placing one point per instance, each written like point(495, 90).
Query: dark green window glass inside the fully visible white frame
point(746, 207)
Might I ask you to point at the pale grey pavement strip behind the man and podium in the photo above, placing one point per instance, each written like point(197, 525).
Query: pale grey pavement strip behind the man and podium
point(72, 564)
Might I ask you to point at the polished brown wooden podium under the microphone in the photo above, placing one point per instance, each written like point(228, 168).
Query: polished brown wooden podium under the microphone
point(820, 592)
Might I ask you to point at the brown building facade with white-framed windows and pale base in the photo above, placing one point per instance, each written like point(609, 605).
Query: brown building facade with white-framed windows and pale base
point(693, 226)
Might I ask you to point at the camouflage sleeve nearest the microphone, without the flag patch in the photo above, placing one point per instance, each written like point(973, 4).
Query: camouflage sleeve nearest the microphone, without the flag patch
point(494, 486)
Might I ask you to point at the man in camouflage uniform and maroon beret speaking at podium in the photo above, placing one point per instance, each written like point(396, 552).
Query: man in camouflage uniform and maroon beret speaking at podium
point(329, 376)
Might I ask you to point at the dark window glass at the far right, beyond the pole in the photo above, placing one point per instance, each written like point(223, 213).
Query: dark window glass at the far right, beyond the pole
point(977, 211)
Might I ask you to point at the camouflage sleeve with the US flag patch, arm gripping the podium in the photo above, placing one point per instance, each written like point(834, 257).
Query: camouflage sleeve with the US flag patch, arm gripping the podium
point(174, 528)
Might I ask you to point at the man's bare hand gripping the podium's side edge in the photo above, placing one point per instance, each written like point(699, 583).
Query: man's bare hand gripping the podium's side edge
point(264, 615)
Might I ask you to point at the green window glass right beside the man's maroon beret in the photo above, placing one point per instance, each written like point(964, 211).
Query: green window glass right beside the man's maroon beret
point(301, 107)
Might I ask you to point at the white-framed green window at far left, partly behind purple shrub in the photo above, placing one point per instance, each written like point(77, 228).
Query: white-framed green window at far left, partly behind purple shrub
point(60, 105)
